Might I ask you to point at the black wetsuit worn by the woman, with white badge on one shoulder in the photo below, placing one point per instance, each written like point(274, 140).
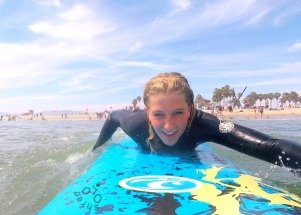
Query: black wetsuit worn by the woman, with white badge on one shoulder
point(204, 128)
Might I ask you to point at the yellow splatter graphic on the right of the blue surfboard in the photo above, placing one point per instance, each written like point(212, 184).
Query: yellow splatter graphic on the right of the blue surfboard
point(227, 203)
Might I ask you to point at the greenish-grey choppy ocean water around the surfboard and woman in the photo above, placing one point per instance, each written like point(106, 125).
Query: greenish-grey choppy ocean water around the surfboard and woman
point(39, 158)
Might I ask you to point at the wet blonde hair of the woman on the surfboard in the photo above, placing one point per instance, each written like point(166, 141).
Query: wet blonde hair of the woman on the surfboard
point(169, 82)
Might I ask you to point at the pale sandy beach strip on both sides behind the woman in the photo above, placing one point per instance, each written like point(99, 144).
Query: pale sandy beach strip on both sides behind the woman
point(226, 115)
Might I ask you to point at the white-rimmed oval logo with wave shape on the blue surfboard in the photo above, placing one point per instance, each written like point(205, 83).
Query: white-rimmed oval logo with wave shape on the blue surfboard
point(160, 184)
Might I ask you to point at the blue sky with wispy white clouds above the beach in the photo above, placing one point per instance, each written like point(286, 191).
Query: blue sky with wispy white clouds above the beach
point(64, 54)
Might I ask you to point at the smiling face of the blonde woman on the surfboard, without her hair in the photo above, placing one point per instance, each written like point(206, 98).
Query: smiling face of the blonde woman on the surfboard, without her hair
point(168, 113)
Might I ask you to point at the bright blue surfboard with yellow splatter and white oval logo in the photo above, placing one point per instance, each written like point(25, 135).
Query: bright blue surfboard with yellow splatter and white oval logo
point(124, 180)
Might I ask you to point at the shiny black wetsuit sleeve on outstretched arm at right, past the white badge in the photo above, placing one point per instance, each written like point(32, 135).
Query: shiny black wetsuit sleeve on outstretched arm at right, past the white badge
point(277, 151)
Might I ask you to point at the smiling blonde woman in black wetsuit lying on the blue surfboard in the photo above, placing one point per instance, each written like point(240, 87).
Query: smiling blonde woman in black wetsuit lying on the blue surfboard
point(170, 123)
